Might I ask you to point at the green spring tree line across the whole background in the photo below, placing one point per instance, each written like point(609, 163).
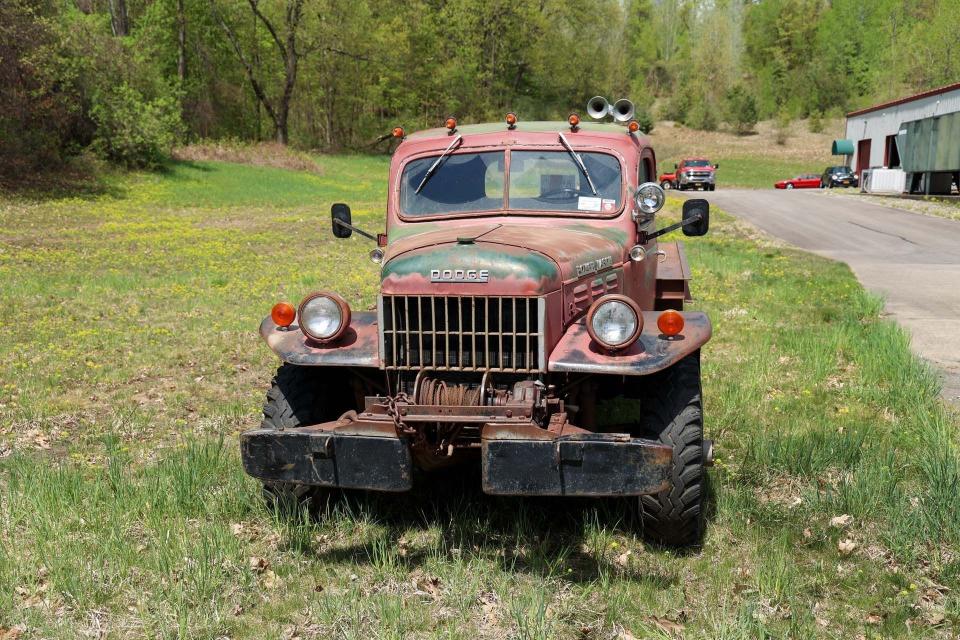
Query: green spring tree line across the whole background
point(128, 79)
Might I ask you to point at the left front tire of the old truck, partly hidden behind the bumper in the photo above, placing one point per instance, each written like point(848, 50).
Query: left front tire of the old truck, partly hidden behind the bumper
point(298, 396)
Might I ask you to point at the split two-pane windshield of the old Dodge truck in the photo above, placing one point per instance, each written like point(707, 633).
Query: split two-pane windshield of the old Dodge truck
point(539, 180)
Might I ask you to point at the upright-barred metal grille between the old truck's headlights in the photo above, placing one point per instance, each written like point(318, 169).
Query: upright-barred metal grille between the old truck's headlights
point(461, 333)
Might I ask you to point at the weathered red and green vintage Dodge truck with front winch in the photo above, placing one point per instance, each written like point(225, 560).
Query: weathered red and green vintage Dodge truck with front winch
point(523, 294)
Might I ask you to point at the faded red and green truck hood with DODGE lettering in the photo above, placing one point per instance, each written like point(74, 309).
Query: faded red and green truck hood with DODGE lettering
point(498, 259)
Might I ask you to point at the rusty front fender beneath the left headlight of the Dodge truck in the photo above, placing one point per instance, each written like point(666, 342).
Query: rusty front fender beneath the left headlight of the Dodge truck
point(358, 347)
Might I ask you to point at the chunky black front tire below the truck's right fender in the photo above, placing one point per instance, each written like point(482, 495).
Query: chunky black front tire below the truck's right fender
point(671, 413)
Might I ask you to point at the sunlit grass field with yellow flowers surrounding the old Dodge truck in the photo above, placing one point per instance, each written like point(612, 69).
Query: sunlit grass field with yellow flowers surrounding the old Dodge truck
point(129, 362)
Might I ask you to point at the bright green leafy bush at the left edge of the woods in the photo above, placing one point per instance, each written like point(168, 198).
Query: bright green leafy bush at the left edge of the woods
point(132, 130)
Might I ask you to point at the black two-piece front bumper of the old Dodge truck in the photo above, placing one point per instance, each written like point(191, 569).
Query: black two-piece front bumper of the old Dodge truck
point(518, 458)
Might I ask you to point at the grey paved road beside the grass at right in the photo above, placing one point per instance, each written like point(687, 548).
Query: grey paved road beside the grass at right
point(913, 260)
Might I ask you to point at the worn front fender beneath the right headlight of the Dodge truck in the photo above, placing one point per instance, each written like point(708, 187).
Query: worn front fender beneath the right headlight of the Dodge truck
point(577, 353)
